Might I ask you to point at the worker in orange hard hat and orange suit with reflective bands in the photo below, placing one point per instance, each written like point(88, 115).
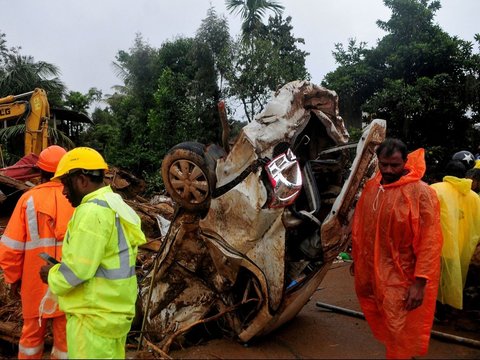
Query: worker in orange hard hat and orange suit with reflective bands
point(38, 224)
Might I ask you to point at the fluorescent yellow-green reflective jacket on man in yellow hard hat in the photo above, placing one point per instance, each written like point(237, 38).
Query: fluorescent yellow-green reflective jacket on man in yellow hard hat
point(96, 279)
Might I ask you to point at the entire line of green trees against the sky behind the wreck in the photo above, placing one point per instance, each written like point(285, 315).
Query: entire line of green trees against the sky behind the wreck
point(423, 81)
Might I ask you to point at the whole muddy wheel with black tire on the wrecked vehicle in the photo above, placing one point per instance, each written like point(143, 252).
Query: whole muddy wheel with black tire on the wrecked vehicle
point(187, 176)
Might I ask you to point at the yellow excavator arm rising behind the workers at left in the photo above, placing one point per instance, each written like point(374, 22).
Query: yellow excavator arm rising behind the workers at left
point(34, 107)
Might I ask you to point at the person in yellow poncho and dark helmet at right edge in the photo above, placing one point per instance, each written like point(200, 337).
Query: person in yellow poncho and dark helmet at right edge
point(460, 213)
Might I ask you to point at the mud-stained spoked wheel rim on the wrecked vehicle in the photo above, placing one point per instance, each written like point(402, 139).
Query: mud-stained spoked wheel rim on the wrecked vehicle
point(188, 181)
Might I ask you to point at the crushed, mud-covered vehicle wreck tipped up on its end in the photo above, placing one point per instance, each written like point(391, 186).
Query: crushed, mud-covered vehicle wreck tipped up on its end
point(255, 229)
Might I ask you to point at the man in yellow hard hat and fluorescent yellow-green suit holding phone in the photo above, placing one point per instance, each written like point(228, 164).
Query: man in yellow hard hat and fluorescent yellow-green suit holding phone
point(95, 282)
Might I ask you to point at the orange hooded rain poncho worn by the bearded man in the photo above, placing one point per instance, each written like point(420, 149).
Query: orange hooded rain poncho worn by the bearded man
point(396, 236)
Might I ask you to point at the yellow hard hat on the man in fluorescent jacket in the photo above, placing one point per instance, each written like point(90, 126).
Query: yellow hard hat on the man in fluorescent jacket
point(80, 158)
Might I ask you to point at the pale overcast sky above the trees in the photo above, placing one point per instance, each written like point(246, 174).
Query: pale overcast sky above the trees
point(83, 37)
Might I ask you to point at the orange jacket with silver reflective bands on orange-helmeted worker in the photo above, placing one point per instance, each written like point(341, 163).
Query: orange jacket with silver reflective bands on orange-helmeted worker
point(38, 224)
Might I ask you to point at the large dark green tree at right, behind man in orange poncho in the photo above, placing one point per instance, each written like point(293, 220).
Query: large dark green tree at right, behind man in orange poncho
point(421, 80)
